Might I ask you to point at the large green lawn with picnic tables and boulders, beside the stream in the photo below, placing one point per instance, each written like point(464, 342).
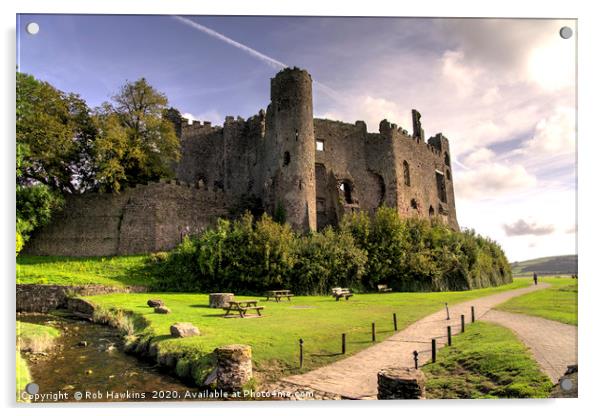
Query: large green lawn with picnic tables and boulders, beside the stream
point(319, 320)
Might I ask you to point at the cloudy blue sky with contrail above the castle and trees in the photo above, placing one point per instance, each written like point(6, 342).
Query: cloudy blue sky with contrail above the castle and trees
point(501, 90)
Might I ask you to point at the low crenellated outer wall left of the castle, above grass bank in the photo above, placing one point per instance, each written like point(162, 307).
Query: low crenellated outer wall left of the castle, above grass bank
point(143, 219)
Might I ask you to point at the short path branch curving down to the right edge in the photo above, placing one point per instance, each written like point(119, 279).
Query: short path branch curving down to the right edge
point(553, 344)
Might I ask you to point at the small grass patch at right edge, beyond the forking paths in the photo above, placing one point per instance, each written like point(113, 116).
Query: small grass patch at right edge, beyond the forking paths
point(558, 303)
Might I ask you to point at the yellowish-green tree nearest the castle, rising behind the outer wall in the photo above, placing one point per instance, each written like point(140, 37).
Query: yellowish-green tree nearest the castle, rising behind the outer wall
point(136, 142)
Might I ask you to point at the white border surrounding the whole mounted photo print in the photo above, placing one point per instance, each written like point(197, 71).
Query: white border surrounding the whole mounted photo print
point(589, 209)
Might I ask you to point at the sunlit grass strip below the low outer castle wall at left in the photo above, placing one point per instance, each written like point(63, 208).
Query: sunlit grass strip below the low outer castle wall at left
point(109, 271)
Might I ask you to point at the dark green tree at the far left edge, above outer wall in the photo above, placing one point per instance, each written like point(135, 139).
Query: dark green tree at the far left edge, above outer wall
point(55, 134)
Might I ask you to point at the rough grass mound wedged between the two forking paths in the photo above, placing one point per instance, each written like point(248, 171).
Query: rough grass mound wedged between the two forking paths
point(487, 361)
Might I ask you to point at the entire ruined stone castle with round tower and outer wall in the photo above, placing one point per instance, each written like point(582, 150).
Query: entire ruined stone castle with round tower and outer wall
point(311, 170)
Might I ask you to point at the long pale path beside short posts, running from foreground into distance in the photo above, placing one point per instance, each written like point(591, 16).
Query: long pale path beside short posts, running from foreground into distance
point(355, 377)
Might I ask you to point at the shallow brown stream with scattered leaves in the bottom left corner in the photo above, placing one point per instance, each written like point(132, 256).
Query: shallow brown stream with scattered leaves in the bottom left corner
point(97, 372)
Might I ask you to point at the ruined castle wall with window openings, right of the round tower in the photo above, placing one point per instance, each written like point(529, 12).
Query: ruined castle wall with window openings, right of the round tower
point(374, 165)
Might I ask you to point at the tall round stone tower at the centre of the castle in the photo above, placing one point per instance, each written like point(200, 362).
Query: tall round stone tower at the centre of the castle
point(290, 137)
